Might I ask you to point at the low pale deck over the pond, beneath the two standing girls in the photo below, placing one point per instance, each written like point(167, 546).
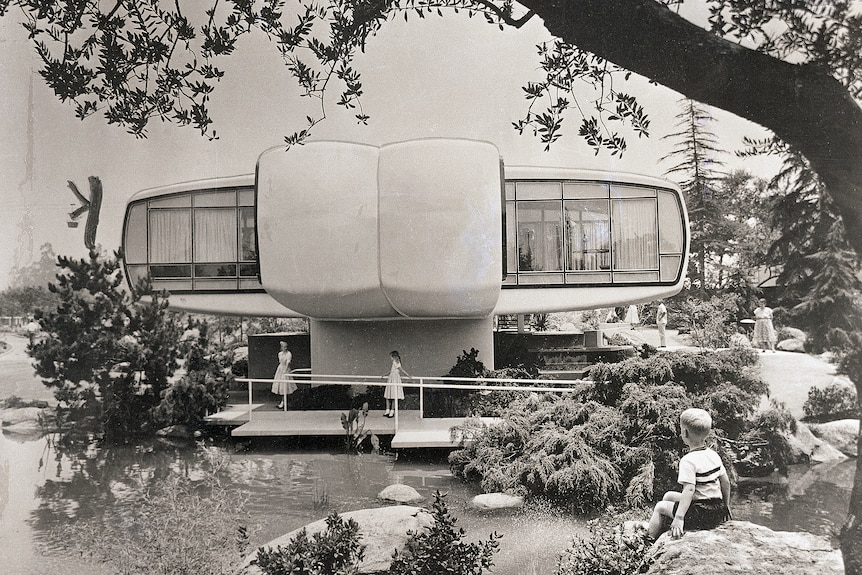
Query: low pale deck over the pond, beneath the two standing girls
point(412, 432)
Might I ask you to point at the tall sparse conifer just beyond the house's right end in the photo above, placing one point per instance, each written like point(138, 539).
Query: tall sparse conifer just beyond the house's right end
point(696, 153)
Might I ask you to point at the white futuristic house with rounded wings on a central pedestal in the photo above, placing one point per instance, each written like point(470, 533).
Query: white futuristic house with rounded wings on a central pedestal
point(414, 246)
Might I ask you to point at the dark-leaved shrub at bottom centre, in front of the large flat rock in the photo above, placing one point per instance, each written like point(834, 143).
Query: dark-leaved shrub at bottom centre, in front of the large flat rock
point(441, 548)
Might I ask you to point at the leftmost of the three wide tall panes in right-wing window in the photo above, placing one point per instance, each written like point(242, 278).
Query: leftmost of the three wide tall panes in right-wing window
point(540, 236)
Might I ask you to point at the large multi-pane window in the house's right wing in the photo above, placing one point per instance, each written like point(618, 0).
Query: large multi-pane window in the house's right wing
point(566, 232)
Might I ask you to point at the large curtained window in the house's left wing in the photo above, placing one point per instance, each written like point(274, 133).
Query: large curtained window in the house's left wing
point(194, 241)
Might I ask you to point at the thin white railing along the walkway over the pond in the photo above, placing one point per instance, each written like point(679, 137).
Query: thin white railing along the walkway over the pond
point(486, 384)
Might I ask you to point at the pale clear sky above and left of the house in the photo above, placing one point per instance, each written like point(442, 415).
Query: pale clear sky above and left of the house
point(438, 77)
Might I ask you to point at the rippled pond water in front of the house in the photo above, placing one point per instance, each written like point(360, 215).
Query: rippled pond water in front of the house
point(290, 483)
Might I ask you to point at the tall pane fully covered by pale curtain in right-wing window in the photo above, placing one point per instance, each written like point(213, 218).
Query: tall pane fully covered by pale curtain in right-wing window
point(635, 241)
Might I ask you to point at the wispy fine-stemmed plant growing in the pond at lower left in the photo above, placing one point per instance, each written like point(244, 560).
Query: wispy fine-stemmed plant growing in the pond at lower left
point(163, 533)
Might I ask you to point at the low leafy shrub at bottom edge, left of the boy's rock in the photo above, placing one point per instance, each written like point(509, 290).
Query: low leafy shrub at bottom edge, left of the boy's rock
point(606, 553)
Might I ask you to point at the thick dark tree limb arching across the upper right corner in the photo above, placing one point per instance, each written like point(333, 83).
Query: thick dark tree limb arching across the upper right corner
point(802, 104)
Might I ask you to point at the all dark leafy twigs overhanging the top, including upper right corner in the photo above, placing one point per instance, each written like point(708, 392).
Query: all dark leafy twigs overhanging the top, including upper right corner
point(140, 60)
